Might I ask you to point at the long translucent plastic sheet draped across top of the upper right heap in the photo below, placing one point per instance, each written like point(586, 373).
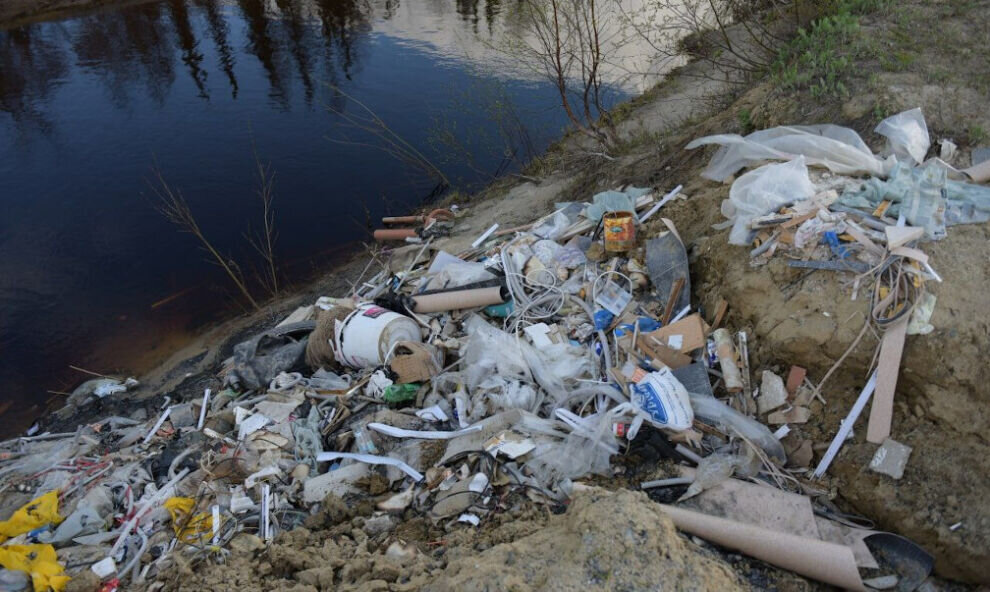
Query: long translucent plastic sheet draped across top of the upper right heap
point(839, 149)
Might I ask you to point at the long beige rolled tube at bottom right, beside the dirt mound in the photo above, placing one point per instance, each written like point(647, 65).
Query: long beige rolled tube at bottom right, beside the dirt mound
point(816, 559)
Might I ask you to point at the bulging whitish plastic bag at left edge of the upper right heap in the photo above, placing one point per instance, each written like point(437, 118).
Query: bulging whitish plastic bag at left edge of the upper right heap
point(763, 191)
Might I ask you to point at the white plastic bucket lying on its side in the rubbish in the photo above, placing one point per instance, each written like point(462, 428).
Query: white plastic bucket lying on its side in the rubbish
point(365, 337)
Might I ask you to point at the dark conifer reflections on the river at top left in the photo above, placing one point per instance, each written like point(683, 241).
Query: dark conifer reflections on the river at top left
point(141, 48)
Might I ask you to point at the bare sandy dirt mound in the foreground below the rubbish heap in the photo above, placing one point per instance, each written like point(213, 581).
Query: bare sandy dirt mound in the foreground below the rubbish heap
point(605, 541)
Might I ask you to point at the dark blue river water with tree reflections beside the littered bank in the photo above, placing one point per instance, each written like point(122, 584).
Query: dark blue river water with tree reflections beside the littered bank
point(91, 275)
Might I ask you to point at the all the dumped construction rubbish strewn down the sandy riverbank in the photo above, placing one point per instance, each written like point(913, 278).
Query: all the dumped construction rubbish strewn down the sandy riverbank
point(454, 384)
